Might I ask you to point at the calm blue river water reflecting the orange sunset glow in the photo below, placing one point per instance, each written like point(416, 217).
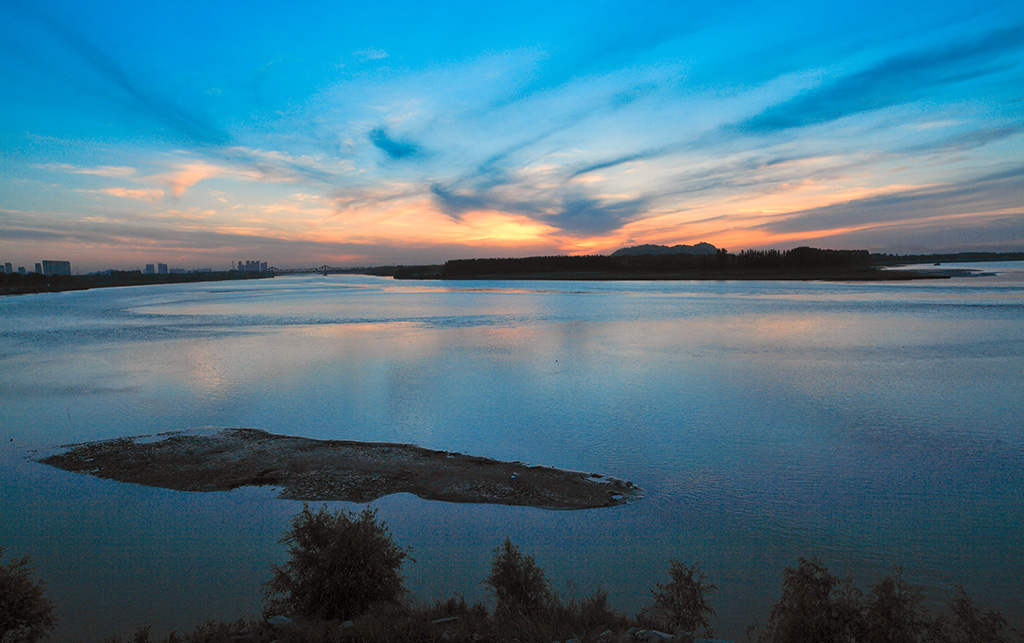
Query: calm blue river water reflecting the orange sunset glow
point(868, 424)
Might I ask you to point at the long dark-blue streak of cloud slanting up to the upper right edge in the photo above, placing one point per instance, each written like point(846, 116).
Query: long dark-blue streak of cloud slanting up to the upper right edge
point(895, 81)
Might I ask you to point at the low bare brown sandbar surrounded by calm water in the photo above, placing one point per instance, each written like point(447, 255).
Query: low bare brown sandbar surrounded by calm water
point(335, 470)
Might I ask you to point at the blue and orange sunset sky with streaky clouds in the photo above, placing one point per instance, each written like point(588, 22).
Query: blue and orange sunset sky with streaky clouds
point(203, 134)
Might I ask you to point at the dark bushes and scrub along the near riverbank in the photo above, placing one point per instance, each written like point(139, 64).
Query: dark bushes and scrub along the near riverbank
point(343, 583)
